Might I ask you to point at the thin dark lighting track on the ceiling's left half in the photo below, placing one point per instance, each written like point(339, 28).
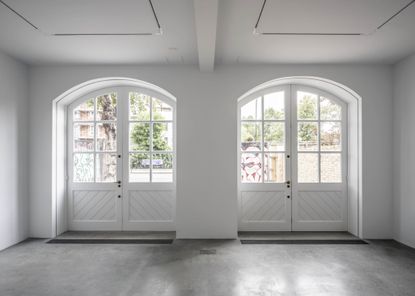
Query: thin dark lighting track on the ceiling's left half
point(22, 17)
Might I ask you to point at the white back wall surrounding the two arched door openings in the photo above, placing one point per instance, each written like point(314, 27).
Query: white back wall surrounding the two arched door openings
point(207, 114)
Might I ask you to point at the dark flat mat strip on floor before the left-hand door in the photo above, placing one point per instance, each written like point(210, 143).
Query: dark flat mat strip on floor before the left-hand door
point(110, 241)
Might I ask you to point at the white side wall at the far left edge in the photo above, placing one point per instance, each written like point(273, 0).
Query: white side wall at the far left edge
point(14, 140)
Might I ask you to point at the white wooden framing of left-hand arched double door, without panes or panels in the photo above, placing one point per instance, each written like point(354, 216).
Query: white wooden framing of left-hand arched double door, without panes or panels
point(122, 163)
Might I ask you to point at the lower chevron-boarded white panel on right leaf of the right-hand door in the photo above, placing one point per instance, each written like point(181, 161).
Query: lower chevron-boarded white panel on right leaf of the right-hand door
point(320, 206)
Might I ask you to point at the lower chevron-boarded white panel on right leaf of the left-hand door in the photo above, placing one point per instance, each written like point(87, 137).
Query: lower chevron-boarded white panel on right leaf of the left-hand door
point(151, 205)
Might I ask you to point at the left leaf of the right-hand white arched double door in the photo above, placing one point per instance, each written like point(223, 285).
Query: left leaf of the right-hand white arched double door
point(264, 195)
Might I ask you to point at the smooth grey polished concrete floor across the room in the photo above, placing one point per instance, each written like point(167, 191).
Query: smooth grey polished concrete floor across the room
point(34, 268)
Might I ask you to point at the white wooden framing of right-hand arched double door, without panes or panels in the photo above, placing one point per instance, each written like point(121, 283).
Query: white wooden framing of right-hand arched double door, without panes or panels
point(291, 121)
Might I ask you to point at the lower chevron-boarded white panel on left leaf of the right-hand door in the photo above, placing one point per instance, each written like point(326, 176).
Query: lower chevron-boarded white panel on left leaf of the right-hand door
point(263, 206)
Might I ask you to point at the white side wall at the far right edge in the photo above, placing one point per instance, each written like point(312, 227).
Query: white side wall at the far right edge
point(404, 156)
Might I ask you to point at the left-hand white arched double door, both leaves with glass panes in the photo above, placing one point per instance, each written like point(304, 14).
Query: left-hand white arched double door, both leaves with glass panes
point(121, 161)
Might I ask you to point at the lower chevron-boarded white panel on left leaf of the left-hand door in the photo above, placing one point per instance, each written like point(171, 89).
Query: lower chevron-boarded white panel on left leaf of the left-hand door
point(94, 205)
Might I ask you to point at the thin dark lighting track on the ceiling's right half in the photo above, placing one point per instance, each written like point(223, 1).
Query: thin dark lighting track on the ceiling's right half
point(256, 32)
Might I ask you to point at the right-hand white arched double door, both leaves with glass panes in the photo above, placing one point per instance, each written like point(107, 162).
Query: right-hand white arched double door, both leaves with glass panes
point(293, 160)
